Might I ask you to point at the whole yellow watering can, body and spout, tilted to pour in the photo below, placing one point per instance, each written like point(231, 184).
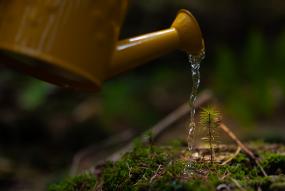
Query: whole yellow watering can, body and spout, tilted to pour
point(74, 43)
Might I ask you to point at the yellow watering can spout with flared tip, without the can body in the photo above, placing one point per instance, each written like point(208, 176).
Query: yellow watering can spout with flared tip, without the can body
point(184, 34)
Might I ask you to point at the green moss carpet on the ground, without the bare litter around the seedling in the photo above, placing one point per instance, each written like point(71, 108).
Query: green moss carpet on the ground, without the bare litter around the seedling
point(150, 167)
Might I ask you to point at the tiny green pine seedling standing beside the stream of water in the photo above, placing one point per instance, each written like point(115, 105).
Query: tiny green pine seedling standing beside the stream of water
point(209, 118)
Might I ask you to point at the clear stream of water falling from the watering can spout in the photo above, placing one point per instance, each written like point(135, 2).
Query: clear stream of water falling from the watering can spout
point(194, 61)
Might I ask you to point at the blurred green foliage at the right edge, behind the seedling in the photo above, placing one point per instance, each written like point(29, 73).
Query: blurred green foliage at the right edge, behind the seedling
point(250, 82)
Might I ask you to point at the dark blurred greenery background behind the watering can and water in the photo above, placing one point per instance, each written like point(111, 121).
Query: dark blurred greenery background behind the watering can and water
point(42, 127)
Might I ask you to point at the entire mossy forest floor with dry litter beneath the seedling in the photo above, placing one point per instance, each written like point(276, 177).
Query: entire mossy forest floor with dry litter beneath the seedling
point(173, 167)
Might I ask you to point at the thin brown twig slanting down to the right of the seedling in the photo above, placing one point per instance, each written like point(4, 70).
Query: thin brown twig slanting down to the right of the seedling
point(243, 147)
